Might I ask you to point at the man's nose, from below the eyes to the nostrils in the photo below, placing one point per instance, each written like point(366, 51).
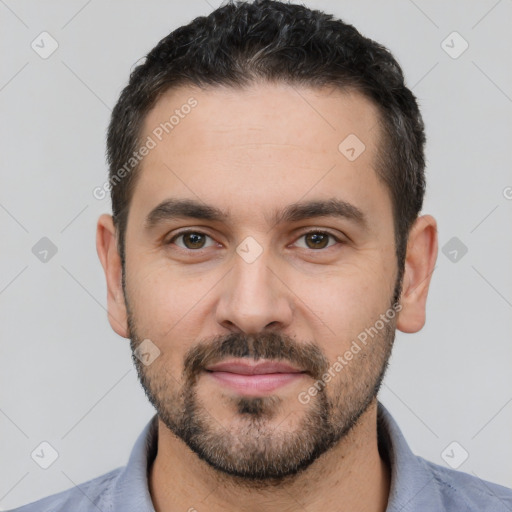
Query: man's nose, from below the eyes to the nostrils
point(254, 298)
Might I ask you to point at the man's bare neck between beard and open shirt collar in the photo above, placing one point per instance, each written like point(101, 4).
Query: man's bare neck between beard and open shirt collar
point(350, 476)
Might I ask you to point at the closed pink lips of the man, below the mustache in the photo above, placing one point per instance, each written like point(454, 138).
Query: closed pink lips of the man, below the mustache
point(249, 377)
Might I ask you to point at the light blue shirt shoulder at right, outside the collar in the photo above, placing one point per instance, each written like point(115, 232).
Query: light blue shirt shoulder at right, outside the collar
point(462, 491)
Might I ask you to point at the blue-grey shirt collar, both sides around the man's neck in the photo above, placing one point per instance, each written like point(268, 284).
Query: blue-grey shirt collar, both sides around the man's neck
point(411, 482)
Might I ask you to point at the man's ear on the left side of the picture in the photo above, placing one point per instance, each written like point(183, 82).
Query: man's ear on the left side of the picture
point(111, 262)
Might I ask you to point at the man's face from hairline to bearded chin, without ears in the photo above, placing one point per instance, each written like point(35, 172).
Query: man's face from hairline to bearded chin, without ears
point(255, 288)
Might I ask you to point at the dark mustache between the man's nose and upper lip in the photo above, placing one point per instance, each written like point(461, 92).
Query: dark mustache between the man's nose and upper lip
point(272, 346)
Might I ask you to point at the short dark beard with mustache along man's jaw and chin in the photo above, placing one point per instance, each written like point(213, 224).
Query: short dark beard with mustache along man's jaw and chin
point(252, 449)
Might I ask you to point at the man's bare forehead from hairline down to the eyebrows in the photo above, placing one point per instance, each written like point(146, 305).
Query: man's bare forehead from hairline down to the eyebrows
point(267, 144)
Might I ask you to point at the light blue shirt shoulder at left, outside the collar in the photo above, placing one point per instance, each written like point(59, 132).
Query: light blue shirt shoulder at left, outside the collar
point(89, 496)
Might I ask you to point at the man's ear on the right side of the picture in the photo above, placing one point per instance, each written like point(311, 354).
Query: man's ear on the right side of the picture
point(420, 261)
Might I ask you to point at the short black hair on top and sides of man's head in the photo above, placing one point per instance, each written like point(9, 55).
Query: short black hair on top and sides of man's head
point(241, 43)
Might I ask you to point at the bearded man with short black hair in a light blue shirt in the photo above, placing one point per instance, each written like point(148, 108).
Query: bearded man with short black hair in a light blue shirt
point(266, 175)
